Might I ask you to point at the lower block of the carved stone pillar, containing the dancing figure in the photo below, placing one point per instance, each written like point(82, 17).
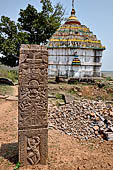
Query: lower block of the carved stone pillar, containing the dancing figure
point(33, 148)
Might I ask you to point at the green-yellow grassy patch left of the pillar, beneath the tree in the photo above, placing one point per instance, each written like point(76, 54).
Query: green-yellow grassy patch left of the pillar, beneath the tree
point(10, 74)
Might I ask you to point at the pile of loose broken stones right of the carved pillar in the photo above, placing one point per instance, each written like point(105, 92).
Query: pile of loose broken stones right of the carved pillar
point(83, 119)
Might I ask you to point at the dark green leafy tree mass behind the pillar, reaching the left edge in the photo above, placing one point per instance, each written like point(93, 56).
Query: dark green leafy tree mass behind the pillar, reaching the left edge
point(33, 27)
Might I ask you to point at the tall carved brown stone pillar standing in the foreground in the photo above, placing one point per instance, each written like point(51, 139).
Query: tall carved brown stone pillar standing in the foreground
point(33, 105)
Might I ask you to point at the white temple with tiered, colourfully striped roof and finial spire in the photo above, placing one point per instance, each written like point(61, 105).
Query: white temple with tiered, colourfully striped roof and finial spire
point(74, 51)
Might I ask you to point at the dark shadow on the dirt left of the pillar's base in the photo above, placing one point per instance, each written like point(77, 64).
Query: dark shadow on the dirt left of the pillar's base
point(9, 151)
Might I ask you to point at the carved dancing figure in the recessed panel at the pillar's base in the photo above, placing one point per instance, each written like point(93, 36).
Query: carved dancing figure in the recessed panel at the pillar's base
point(33, 153)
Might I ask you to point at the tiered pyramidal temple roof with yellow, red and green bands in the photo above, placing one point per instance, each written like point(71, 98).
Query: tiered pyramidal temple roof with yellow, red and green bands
point(74, 35)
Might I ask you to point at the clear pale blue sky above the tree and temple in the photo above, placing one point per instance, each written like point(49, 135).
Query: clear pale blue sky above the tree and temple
point(95, 14)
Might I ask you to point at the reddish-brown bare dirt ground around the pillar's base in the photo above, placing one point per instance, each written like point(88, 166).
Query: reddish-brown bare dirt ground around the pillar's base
point(65, 152)
